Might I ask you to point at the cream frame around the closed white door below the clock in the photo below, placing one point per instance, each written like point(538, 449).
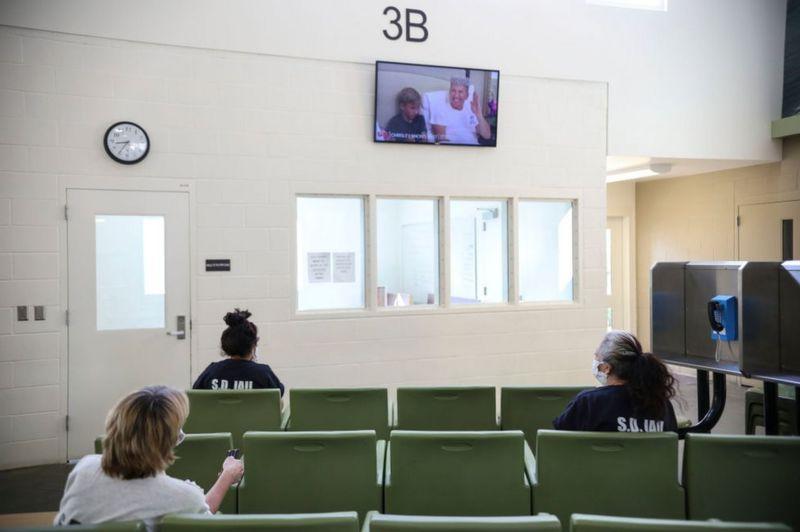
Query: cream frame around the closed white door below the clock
point(105, 183)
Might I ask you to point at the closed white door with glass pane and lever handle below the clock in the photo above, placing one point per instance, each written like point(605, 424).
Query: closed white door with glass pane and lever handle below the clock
point(129, 276)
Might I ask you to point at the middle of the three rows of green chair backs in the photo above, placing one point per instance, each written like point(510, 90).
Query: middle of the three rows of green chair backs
point(738, 478)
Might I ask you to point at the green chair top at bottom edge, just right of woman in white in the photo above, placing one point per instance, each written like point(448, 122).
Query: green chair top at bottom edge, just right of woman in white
point(322, 522)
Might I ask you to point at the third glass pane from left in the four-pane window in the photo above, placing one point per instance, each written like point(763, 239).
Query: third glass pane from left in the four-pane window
point(478, 251)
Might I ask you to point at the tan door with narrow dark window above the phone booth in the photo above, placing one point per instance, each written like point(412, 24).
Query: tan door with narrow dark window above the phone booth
point(766, 229)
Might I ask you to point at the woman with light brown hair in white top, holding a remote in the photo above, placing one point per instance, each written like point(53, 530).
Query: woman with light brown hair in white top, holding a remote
point(127, 482)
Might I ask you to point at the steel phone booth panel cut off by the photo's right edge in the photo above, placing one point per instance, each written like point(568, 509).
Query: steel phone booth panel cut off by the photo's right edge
point(790, 316)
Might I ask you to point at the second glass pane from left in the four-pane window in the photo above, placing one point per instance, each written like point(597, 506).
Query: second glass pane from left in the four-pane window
point(408, 252)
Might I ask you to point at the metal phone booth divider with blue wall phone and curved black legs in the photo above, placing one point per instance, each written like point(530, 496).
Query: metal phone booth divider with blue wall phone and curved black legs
point(728, 318)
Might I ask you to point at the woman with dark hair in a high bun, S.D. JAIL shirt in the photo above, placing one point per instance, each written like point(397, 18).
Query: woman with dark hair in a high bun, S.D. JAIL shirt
point(241, 370)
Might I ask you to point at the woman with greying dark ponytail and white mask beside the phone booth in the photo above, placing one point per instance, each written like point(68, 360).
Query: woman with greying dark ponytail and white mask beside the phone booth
point(635, 396)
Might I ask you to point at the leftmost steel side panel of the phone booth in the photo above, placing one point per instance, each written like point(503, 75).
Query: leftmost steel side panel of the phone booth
point(668, 335)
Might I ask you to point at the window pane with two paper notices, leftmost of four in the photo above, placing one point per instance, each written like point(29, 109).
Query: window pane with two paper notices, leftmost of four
point(330, 253)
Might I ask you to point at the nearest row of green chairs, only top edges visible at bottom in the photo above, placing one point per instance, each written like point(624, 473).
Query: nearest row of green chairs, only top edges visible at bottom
point(377, 522)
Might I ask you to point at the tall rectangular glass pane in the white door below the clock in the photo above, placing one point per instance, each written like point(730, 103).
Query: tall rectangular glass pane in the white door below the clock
point(129, 254)
